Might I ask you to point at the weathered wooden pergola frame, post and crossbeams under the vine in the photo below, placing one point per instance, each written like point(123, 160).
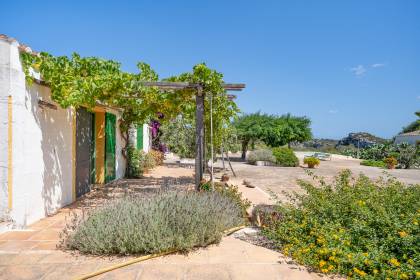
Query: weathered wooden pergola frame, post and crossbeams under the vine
point(199, 123)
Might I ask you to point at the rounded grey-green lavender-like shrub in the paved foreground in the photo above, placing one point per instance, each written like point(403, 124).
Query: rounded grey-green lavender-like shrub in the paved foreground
point(165, 221)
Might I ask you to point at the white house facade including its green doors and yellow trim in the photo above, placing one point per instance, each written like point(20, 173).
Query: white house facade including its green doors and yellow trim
point(46, 160)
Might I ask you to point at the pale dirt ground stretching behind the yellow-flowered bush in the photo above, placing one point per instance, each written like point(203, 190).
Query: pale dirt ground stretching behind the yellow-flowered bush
point(279, 179)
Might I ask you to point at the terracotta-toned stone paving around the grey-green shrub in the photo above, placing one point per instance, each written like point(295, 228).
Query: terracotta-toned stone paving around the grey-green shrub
point(32, 253)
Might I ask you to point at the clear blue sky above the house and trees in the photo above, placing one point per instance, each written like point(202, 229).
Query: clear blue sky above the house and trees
point(348, 65)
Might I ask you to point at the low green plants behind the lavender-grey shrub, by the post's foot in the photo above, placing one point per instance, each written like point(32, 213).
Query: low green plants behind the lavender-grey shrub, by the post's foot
point(231, 192)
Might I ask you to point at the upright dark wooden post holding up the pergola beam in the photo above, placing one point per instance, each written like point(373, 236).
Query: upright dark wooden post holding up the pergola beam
point(199, 137)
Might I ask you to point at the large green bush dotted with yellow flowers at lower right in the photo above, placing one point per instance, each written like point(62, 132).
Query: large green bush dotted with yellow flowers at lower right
point(360, 228)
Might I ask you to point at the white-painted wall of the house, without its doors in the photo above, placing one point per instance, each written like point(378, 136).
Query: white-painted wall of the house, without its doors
point(42, 145)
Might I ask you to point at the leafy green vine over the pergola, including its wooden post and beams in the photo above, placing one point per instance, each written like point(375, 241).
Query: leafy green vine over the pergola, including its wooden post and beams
point(84, 81)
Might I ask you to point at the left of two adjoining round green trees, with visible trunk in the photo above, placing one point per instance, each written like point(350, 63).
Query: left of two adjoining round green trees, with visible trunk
point(251, 127)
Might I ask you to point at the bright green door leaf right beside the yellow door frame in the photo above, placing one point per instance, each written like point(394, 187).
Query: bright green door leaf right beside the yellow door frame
point(110, 140)
